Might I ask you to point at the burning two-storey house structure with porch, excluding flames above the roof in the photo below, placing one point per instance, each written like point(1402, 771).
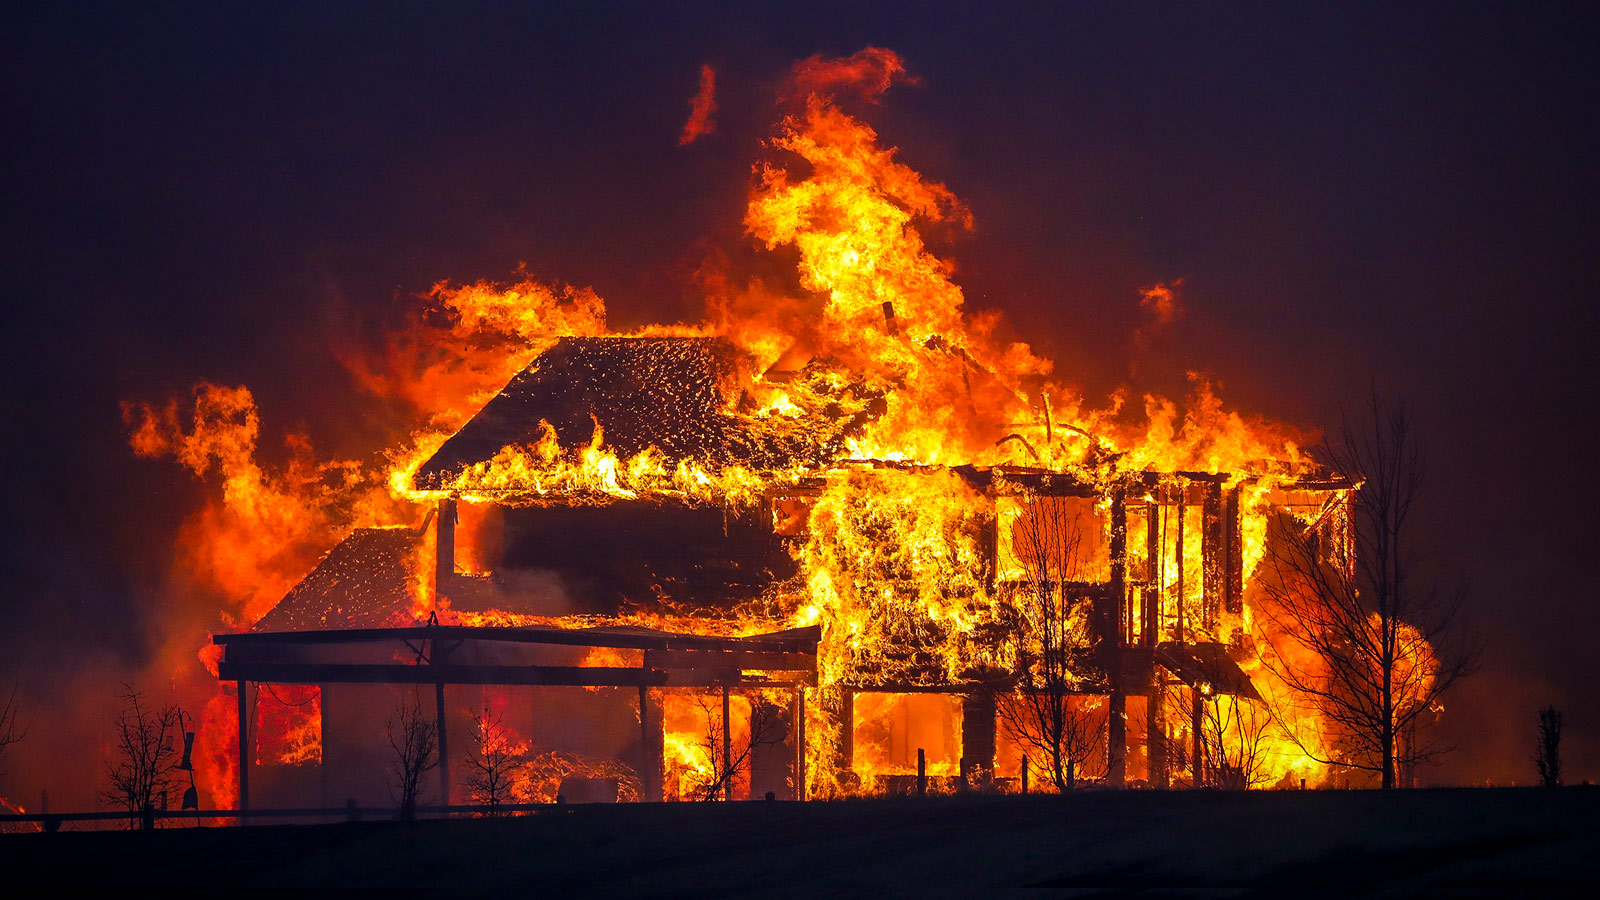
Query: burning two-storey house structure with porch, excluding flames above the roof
point(686, 550)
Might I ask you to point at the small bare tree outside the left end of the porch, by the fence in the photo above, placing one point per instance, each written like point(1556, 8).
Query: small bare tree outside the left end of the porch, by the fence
point(143, 771)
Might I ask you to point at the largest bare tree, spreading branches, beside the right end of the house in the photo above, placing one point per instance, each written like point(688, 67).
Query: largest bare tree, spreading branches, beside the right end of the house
point(1359, 632)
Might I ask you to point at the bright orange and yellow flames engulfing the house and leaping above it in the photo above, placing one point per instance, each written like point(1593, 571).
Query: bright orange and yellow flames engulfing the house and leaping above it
point(878, 368)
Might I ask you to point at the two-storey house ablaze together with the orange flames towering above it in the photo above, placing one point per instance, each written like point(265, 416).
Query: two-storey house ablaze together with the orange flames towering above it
point(834, 542)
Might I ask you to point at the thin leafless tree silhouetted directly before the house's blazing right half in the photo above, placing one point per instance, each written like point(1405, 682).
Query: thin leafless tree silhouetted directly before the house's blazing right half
point(1046, 710)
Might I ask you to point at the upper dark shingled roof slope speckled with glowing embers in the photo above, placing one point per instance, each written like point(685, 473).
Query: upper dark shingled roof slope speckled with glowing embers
point(679, 396)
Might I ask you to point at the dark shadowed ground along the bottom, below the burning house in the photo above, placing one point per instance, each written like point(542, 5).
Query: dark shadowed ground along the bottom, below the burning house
point(1321, 843)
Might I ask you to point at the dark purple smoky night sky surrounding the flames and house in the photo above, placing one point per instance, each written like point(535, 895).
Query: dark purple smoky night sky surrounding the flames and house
point(1394, 196)
